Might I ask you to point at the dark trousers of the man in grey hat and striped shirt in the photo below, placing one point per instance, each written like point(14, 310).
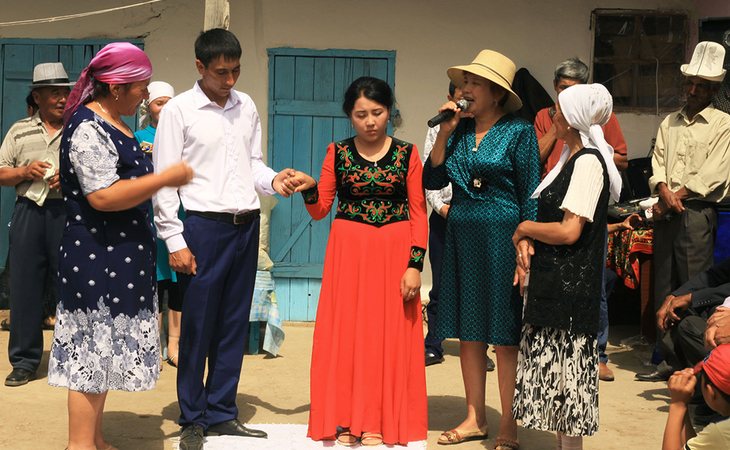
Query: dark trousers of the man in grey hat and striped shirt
point(35, 236)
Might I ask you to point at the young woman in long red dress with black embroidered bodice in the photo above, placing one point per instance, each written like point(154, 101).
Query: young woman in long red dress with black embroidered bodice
point(368, 382)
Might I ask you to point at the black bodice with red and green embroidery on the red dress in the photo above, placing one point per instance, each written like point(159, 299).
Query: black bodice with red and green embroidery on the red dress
point(375, 193)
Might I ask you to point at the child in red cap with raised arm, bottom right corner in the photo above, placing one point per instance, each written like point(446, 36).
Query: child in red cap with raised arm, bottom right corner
point(714, 374)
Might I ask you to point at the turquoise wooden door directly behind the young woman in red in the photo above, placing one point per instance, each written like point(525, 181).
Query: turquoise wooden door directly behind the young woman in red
point(306, 89)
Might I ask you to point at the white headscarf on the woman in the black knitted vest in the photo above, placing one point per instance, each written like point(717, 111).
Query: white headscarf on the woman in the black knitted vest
point(587, 107)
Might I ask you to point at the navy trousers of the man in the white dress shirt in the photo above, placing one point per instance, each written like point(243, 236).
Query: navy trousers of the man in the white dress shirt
point(216, 307)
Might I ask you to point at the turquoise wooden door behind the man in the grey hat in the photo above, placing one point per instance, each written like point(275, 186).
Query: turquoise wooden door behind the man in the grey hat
point(17, 59)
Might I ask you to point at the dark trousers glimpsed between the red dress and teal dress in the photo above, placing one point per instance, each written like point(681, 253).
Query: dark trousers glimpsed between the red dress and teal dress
point(436, 238)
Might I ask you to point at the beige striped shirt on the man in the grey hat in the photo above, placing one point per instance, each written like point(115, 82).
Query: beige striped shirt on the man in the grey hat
point(28, 141)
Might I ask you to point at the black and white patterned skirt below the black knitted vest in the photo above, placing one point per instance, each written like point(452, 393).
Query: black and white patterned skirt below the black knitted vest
point(557, 381)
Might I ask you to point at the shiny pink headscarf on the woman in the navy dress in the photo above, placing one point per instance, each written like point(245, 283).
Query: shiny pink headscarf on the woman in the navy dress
point(116, 63)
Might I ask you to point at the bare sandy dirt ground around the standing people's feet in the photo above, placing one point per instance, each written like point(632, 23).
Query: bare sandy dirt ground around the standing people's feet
point(276, 390)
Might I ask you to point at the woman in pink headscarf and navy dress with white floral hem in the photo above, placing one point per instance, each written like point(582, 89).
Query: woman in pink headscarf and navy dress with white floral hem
point(106, 331)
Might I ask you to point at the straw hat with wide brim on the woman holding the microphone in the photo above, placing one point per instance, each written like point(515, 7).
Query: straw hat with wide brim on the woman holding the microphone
point(496, 68)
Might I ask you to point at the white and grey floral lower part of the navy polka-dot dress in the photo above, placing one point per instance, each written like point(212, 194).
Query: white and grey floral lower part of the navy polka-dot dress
point(94, 352)
